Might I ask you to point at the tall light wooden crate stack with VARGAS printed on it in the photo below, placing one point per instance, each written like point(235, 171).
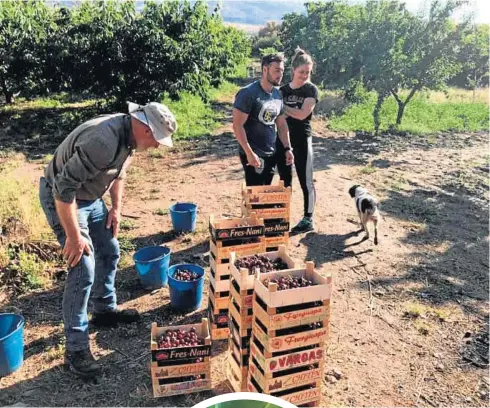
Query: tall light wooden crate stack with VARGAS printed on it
point(288, 333)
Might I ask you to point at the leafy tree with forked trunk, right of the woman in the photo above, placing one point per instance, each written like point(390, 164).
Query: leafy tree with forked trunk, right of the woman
point(382, 47)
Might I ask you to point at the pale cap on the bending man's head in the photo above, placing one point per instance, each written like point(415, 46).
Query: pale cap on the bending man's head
point(158, 118)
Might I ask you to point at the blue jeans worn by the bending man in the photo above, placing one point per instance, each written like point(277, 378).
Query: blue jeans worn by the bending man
point(94, 273)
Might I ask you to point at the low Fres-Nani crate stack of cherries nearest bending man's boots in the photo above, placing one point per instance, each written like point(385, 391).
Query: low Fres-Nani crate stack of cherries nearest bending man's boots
point(180, 370)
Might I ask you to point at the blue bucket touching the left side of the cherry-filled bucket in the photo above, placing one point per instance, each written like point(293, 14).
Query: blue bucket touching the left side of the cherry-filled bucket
point(152, 266)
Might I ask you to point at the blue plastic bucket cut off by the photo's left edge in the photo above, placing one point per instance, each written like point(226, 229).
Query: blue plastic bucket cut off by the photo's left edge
point(11, 343)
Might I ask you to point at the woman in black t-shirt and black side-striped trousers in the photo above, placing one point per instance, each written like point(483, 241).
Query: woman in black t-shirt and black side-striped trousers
point(300, 97)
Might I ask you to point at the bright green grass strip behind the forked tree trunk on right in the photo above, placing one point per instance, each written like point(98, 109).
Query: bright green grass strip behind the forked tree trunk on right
point(421, 116)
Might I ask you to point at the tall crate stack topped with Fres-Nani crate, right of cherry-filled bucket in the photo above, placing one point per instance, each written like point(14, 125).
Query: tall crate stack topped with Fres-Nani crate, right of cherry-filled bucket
point(244, 236)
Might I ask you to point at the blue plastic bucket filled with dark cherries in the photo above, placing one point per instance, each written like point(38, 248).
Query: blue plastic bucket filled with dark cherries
point(186, 295)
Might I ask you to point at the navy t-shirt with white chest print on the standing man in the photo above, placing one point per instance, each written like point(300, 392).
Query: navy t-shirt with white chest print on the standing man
point(262, 108)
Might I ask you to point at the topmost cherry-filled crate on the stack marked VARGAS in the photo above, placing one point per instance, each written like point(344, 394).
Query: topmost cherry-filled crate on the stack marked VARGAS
point(274, 298)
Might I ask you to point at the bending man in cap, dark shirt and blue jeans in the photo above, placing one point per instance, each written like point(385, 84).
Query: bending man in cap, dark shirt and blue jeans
point(89, 162)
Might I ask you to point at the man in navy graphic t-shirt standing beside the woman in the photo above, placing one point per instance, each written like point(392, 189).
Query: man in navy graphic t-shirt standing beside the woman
point(258, 110)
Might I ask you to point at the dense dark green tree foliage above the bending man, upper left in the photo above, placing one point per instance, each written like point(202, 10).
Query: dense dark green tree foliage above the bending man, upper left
point(108, 49)
